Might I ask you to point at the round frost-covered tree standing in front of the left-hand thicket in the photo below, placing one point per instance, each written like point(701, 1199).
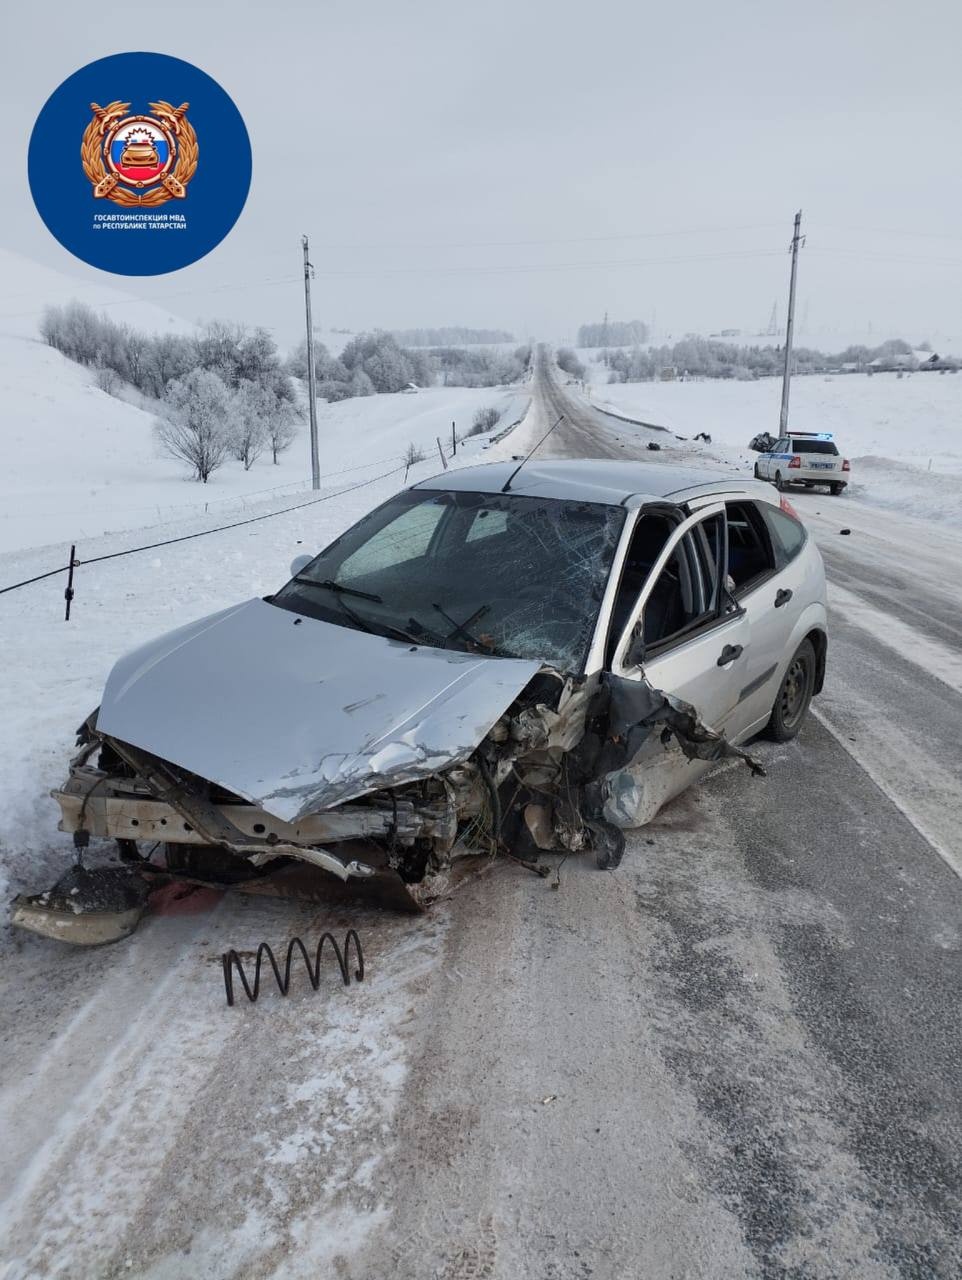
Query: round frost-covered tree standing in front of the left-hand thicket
point(195, 423)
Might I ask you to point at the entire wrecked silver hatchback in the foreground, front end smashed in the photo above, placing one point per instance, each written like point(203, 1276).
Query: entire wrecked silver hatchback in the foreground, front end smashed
point(503, 659)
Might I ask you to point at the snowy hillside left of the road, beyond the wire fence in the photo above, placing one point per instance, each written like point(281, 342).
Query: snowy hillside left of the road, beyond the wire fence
point(80, 463)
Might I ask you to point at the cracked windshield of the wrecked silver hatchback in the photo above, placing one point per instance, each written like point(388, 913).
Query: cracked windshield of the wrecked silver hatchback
point(491, 574)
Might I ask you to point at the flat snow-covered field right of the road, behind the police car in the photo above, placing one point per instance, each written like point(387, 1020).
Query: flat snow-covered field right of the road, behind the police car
point(904, 436)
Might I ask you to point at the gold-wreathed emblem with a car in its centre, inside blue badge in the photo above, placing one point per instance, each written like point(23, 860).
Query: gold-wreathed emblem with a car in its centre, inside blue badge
point(140, 161)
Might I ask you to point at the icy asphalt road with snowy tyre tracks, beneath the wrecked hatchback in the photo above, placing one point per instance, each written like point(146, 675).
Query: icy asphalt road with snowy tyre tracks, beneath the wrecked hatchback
point(736, 1057)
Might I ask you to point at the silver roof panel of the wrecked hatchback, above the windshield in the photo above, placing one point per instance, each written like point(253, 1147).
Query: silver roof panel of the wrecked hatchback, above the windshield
point(611, 482)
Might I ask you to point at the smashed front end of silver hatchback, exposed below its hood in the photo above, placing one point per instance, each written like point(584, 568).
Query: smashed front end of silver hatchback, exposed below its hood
point(566, 767)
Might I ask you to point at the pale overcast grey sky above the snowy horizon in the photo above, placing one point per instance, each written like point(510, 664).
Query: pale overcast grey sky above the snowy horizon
point(533, 166)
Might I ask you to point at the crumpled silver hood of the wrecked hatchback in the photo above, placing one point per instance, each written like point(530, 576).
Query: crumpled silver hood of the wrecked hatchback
point(299, 715)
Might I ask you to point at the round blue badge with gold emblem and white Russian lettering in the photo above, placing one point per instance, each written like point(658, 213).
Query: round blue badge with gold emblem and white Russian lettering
point(140, 164)
